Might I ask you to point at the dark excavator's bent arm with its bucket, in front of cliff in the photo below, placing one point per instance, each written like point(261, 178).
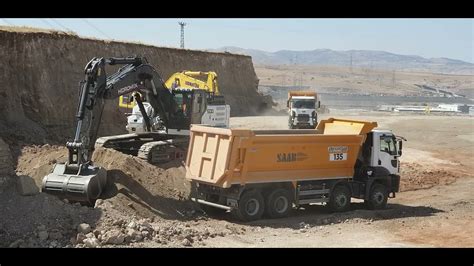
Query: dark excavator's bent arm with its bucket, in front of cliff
point(78, 179)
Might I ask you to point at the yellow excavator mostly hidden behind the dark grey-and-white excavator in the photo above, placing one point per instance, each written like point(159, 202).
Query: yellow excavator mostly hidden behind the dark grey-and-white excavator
point(188, 80)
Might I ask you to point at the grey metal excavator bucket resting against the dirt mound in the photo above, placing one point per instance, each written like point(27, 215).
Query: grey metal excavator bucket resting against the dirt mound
point(85, 185)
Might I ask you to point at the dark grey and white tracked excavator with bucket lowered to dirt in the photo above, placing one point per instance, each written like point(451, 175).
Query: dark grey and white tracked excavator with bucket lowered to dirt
point(166, 124)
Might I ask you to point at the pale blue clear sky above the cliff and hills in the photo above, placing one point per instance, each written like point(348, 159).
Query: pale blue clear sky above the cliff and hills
point(450, 38)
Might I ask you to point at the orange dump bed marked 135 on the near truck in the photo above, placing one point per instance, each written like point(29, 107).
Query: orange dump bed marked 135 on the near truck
point(223, 157)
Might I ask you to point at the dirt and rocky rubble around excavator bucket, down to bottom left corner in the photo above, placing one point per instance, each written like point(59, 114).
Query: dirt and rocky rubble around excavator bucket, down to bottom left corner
point(142, 203)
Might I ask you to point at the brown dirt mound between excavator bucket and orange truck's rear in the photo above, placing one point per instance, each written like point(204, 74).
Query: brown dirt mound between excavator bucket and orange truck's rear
point(137, 187)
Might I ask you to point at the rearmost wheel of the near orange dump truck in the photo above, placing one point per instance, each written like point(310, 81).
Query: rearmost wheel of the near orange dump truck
point(251, 206)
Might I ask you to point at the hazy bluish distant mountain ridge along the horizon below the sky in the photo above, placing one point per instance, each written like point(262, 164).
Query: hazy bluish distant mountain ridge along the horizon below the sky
point(360, 58)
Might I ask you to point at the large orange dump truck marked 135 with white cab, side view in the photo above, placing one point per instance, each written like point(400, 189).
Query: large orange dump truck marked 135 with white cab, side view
point(257, 172)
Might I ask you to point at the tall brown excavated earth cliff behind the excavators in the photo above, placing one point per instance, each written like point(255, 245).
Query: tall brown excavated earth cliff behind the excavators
point(40, 72)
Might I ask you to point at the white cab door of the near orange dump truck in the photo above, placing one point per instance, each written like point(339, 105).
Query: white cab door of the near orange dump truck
point(387, 156)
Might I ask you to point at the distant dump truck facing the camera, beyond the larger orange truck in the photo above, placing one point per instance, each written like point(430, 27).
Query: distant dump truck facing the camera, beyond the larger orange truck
point(302, 107)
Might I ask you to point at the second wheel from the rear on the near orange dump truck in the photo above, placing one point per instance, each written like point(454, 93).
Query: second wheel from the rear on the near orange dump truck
point(278, 203)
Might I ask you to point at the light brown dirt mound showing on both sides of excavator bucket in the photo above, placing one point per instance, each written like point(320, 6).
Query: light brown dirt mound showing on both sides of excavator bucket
point(135, 187)
